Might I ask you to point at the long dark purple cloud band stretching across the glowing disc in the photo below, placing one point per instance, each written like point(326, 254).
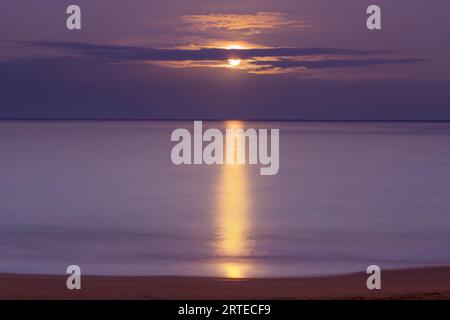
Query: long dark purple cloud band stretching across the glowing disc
point(253, 60)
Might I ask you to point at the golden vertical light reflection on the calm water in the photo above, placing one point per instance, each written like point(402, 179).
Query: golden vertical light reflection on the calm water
point(233, 217)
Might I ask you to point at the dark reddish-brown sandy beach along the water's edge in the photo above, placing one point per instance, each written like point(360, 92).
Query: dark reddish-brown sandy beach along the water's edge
point(427, 283)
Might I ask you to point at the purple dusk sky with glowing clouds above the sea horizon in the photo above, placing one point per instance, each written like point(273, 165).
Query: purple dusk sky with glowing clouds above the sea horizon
point(191, 59)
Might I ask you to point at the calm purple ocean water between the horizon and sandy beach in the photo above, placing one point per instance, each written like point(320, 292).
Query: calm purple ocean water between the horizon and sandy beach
point(106, 196)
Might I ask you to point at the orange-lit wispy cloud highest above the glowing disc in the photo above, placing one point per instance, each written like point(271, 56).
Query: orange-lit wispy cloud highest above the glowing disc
point(258, 21)
